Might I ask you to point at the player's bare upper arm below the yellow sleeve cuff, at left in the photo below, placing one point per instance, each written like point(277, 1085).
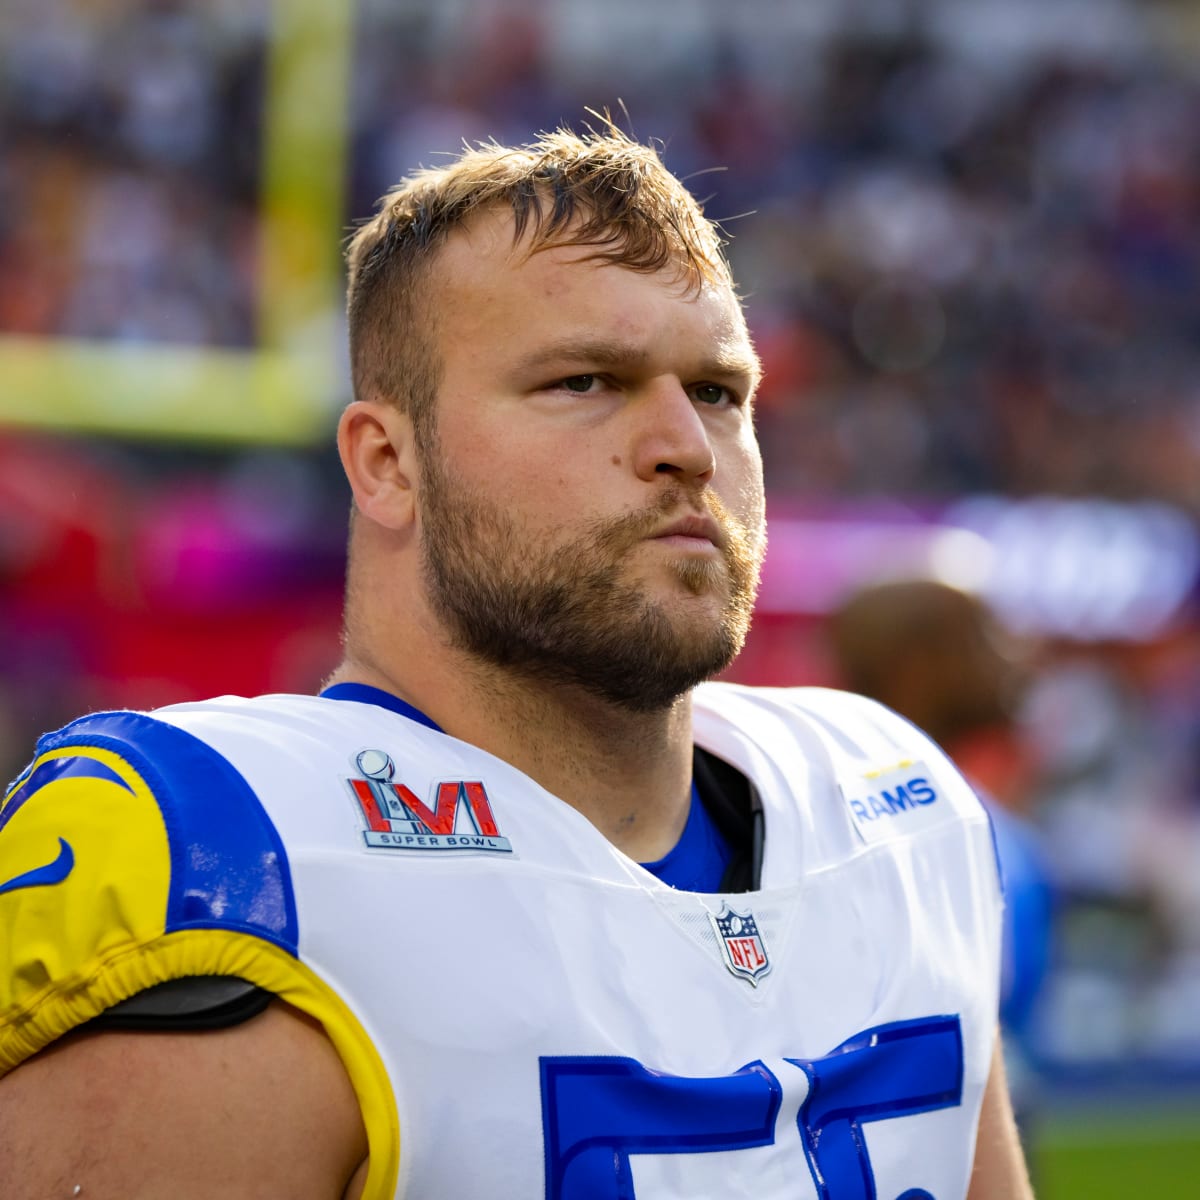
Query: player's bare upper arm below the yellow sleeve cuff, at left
point(263, 1109)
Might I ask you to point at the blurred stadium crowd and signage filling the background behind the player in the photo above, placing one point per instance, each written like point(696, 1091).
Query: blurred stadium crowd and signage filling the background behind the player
point(968, 238)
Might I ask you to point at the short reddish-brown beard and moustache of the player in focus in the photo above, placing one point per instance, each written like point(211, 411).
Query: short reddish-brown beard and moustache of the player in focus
point(567, 615)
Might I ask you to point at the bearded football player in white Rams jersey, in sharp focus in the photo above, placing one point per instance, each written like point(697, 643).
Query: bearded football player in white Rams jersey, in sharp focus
point(520, 905)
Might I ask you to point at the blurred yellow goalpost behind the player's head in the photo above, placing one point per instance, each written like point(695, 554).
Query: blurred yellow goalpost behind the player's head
point(280, 392)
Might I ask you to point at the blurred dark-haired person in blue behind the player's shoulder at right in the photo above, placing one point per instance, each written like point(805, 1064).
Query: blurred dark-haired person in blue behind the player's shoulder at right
point(939, 657)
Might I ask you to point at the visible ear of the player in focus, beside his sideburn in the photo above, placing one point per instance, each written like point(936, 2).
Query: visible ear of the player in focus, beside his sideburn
point(375, 441)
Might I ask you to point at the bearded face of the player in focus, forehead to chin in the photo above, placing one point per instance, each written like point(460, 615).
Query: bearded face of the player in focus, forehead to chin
point(591, 506)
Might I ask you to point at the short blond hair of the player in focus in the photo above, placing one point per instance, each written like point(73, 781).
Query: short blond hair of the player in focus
point(599, 189)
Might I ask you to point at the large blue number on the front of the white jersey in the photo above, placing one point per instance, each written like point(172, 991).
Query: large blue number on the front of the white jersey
point(597, 1113)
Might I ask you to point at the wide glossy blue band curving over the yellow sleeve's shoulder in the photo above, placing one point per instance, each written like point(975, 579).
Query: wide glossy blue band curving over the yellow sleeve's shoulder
point(229, 865)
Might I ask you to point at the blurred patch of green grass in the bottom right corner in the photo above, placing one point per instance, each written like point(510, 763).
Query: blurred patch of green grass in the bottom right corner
point(1109, 1157)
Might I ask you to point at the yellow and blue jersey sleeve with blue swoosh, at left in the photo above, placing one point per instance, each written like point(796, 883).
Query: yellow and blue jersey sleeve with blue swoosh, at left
point(131, 854)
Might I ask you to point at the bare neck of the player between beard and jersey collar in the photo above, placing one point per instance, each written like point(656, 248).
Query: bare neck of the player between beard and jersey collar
point(628, 773)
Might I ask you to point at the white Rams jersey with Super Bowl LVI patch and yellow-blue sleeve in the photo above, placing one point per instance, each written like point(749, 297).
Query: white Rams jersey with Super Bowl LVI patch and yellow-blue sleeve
point(523, 1010)
